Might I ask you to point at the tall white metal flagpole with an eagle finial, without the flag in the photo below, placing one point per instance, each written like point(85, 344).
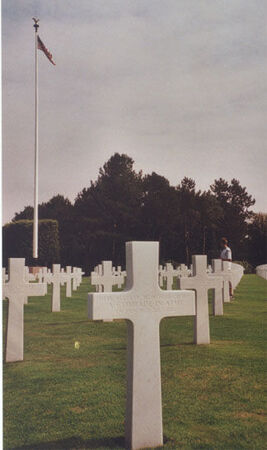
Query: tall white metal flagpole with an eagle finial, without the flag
point(36, 154)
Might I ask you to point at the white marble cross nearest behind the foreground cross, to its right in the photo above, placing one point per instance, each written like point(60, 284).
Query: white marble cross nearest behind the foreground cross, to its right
point(201, 283)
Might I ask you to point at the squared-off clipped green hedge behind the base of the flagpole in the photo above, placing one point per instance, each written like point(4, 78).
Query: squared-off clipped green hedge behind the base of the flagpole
point(17, 242)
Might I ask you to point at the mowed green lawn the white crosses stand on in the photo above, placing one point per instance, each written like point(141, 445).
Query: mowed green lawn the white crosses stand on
point(62, 397)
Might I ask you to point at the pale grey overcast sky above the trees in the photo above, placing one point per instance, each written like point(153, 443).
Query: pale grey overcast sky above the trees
point(178, 85)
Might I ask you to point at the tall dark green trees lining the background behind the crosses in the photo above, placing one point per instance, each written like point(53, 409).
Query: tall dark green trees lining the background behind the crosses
point(124, 205)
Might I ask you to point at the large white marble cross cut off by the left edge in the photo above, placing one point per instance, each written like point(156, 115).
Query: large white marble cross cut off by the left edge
point(16, 289)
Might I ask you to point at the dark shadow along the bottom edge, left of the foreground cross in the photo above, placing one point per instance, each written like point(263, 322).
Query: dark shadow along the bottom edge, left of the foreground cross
point(76, 443)
